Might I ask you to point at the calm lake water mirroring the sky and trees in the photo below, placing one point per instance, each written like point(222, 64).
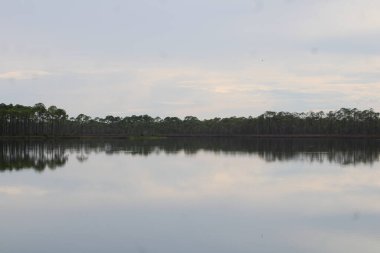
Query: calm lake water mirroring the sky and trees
point(190, 196)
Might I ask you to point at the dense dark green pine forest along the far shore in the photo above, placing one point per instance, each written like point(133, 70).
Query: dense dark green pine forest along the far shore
point(39, 120)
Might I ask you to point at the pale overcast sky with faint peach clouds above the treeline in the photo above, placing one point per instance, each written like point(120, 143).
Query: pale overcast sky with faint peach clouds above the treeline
point(205, 58)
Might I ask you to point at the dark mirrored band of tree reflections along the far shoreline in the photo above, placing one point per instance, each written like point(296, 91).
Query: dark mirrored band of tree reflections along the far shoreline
point(16, 155)
